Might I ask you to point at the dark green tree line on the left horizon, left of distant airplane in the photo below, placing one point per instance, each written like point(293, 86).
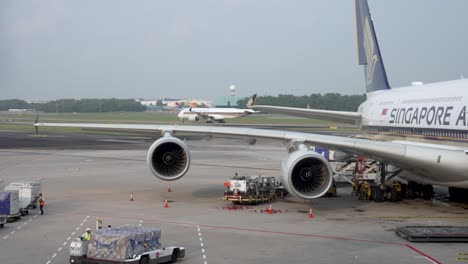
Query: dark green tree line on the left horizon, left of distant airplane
point(78, 106)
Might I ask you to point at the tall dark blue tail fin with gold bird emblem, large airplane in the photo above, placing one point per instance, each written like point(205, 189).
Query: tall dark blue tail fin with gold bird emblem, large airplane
point(368, 50)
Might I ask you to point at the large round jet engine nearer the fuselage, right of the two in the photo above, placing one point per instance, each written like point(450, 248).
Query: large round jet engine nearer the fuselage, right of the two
point(306, 174)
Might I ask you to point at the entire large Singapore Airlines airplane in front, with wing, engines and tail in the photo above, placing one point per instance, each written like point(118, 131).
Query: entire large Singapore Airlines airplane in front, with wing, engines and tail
point(434, 114)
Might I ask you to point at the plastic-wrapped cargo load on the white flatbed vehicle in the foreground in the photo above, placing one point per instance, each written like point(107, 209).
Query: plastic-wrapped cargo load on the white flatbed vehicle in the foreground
point(120, 243)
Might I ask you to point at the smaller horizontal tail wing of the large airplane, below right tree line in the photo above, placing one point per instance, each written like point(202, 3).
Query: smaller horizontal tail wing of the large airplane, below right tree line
point(335, 116)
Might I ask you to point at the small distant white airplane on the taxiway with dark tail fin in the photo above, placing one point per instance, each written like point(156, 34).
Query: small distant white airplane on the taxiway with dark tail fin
point(219, 115)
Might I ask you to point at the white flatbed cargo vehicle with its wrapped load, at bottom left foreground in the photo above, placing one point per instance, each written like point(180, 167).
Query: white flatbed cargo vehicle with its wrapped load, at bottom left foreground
point(128, 244)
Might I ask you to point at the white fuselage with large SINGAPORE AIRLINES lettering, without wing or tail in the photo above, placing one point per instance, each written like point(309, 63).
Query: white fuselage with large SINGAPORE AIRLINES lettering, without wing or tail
point(433, 113)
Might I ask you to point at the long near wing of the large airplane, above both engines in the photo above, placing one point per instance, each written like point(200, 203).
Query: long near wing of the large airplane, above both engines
point(429, 162)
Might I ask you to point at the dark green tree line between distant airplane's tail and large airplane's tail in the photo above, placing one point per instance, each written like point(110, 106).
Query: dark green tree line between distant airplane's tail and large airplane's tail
point(329, 101)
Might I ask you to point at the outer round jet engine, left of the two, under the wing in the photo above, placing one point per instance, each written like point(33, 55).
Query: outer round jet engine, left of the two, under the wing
point(168, 158)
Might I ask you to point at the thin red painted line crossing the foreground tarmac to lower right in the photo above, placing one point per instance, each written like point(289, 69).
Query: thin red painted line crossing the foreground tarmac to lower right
point(270, 232)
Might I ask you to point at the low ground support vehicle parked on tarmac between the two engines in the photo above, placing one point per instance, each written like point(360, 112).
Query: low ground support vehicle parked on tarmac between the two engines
point(250, 189)
